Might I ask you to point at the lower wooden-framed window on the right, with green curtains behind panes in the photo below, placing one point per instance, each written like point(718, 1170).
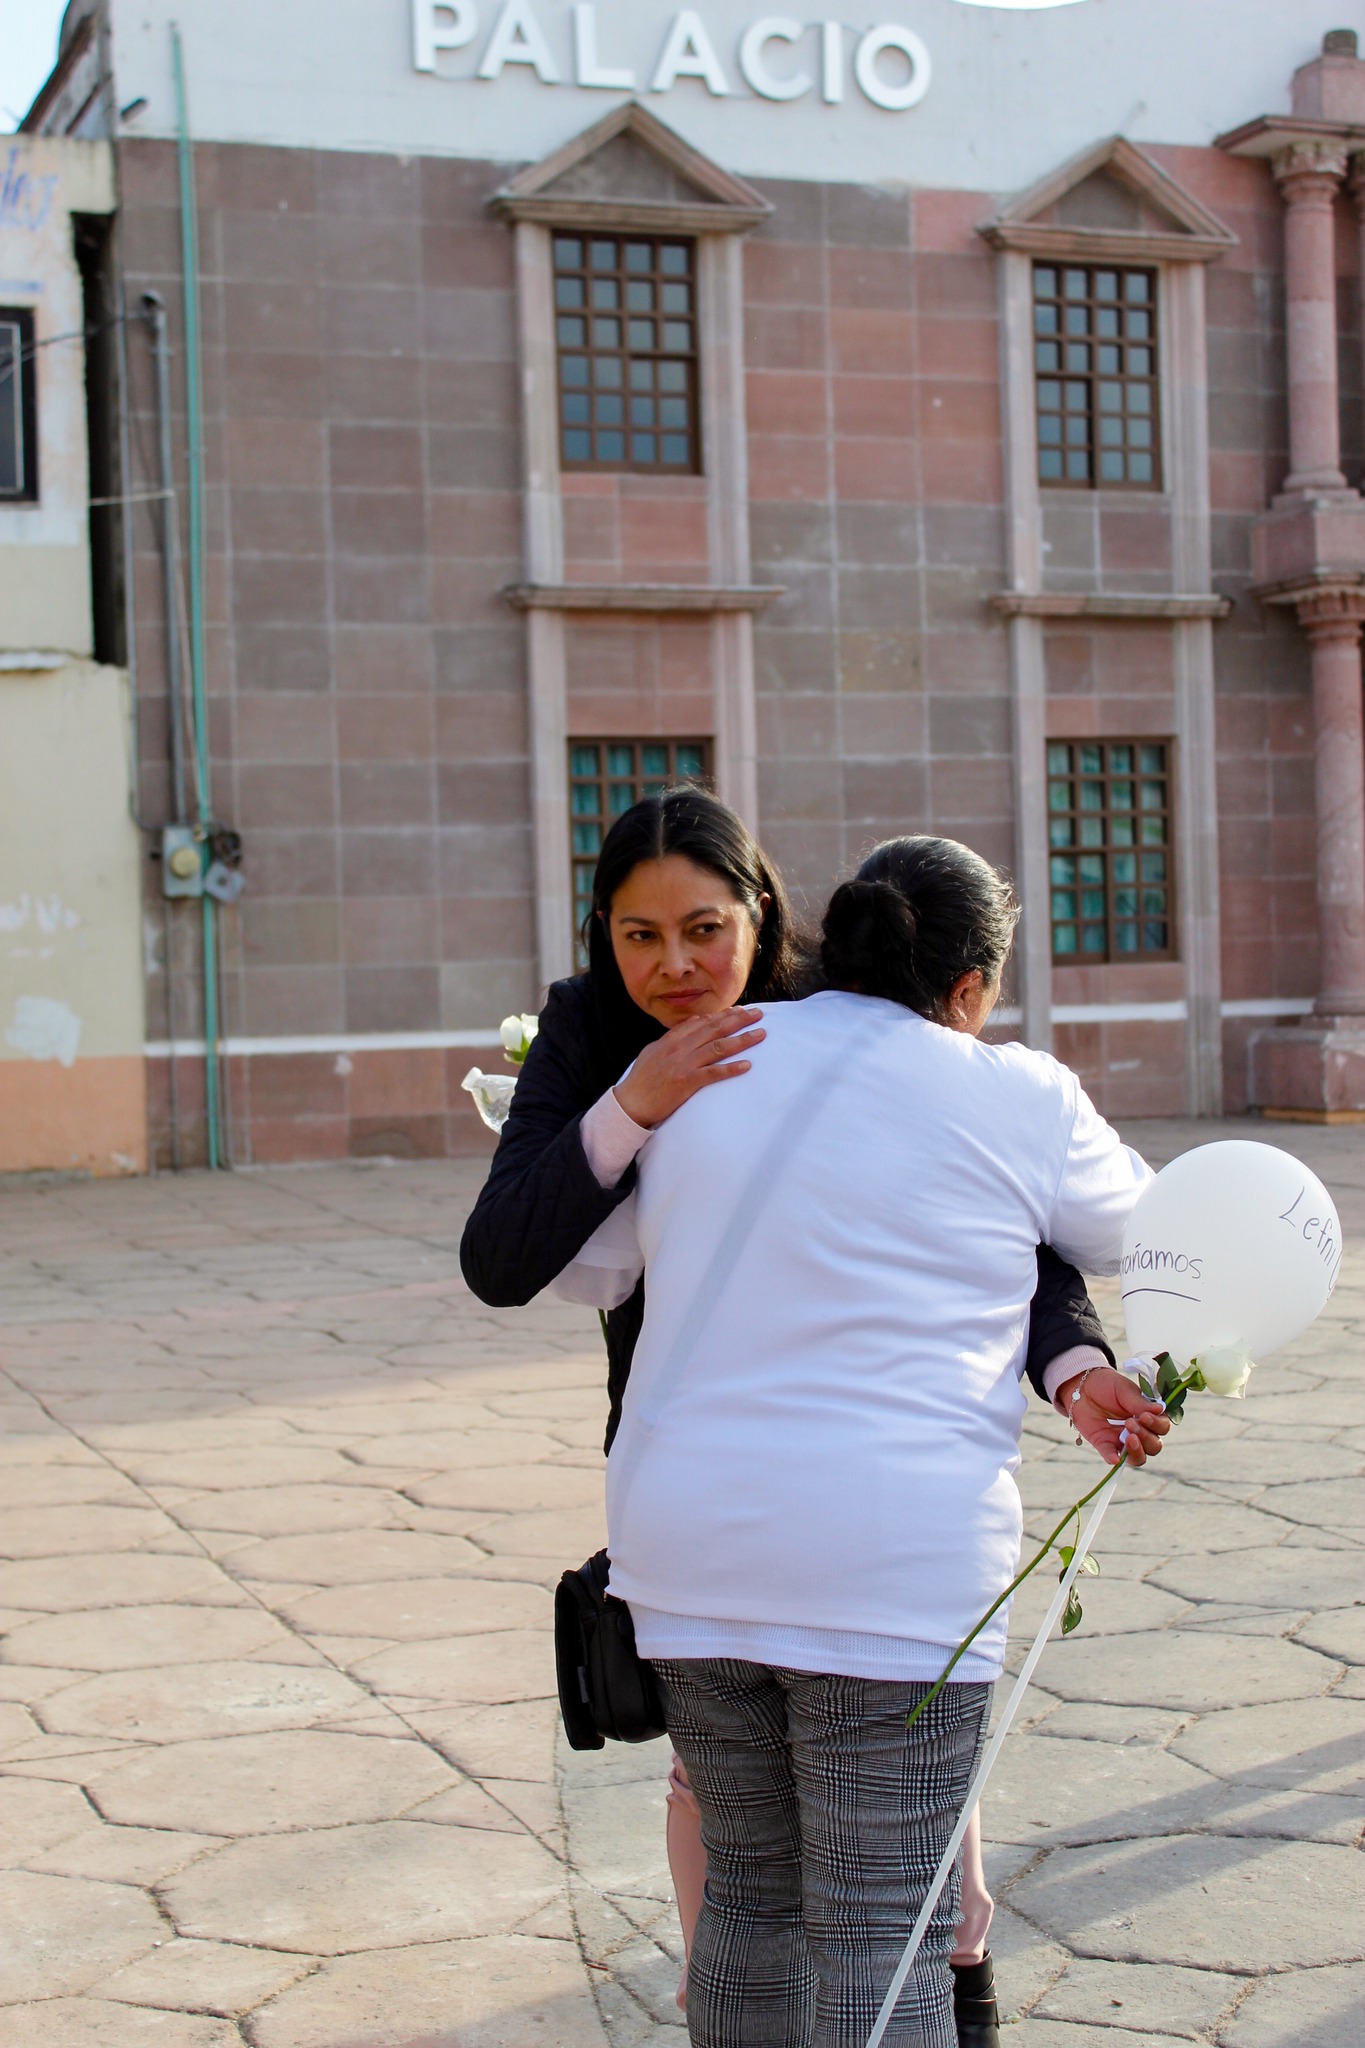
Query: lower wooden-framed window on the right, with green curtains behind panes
point(1108, 837)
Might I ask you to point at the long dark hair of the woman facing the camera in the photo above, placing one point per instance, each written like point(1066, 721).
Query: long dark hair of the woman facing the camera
point(701, 828)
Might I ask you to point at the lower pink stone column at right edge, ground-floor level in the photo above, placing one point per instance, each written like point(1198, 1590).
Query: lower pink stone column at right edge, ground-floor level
point(1333, 626)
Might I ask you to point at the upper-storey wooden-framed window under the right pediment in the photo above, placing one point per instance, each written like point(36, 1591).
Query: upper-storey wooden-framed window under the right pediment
point(1077, 388)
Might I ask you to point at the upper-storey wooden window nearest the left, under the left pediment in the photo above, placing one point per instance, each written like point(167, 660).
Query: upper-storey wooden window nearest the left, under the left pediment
point(599, 376)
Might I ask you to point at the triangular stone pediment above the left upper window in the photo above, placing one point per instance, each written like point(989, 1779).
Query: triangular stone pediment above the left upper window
point(633, 171)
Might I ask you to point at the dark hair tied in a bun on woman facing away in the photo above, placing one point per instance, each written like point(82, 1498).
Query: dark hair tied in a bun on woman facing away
point(918, 914)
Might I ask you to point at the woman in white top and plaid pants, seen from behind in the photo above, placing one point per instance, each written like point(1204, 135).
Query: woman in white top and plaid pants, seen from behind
point(813, 1494)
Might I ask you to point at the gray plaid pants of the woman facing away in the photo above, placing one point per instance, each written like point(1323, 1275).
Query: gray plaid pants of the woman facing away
point(824, 1824)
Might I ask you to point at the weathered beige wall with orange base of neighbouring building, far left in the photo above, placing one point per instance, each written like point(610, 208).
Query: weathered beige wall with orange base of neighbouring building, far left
point(73, 1072)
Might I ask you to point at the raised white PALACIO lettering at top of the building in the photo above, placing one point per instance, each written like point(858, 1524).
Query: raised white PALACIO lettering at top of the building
point(777, 56)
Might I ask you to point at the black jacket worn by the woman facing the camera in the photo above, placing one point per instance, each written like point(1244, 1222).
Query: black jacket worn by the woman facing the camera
point(541, 1201)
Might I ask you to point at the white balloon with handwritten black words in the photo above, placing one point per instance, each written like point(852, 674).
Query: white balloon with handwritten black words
point(1233, 1244)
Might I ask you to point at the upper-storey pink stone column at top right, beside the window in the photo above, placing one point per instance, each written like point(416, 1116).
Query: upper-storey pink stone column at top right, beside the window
point(1309, 177)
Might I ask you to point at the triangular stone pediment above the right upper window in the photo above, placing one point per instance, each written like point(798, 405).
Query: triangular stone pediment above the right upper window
point(1110, 202)
